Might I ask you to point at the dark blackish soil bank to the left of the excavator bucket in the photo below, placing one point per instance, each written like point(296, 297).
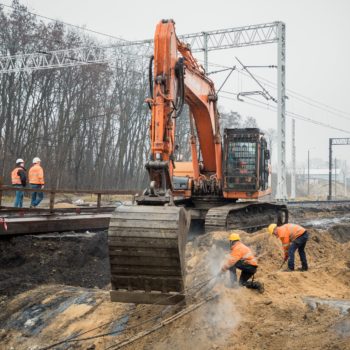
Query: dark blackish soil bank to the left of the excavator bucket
point(72, 259)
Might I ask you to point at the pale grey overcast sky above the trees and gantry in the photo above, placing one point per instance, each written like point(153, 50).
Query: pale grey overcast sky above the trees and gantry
point(318, 53)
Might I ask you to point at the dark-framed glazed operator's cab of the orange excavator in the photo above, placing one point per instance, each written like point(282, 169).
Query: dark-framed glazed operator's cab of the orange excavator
point(246, 163)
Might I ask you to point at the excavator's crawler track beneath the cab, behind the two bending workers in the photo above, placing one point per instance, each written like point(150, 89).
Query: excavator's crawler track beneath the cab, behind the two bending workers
point(247, 216)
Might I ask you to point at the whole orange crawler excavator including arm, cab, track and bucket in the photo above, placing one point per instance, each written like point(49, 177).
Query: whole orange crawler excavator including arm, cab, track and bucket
point(219, 187)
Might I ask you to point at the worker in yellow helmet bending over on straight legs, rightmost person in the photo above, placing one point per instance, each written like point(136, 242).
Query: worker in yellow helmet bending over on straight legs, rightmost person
point(293, 237)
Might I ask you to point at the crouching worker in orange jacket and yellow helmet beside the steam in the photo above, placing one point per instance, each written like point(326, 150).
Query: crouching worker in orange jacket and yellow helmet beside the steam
point(241, 258)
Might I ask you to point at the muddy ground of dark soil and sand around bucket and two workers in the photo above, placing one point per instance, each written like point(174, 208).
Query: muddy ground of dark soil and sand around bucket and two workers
point(53, 287)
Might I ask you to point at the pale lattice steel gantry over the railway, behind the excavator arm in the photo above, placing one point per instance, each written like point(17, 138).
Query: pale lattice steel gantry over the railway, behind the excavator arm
point(266, 33)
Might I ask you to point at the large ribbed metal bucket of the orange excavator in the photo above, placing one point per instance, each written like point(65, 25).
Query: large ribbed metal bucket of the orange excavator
point(147, 254)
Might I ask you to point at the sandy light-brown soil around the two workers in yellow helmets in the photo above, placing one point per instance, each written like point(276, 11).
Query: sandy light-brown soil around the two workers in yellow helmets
point(281, 317)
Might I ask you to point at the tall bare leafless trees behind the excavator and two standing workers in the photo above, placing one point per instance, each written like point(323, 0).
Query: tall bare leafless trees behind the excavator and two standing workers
point(88, 124)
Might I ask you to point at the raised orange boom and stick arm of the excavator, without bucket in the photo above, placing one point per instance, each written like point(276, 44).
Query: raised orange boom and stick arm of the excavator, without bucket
point(177, 78)
